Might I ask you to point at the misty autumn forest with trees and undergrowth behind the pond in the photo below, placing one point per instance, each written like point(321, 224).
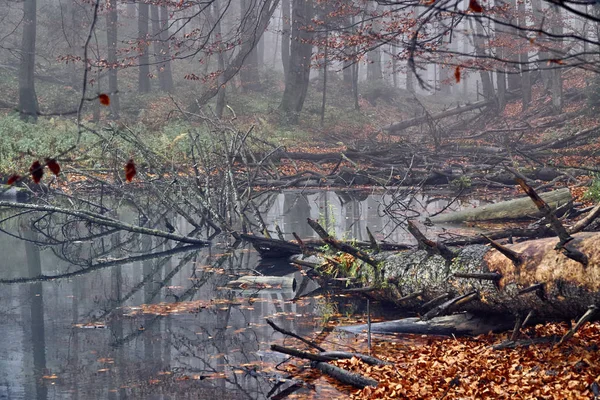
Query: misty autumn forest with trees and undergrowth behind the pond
point(295, 70)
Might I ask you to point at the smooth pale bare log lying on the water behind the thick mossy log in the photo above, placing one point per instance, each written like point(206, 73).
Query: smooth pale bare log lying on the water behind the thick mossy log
point(511, 209)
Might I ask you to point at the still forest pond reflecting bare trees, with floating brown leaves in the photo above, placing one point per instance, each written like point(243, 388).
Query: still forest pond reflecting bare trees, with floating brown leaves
point(118, 325)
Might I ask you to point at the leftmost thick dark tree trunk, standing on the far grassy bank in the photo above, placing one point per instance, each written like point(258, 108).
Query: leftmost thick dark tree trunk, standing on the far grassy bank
point(28, 104)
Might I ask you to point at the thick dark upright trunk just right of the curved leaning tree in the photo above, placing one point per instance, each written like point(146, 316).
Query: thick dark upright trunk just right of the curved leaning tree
point(296, 85)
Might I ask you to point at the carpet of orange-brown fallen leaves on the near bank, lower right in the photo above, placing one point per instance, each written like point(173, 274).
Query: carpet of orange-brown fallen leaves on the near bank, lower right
point(470, 368)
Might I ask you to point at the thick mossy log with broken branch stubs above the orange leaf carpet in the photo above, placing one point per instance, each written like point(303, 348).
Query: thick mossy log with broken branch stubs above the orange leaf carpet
point(481, 279)
